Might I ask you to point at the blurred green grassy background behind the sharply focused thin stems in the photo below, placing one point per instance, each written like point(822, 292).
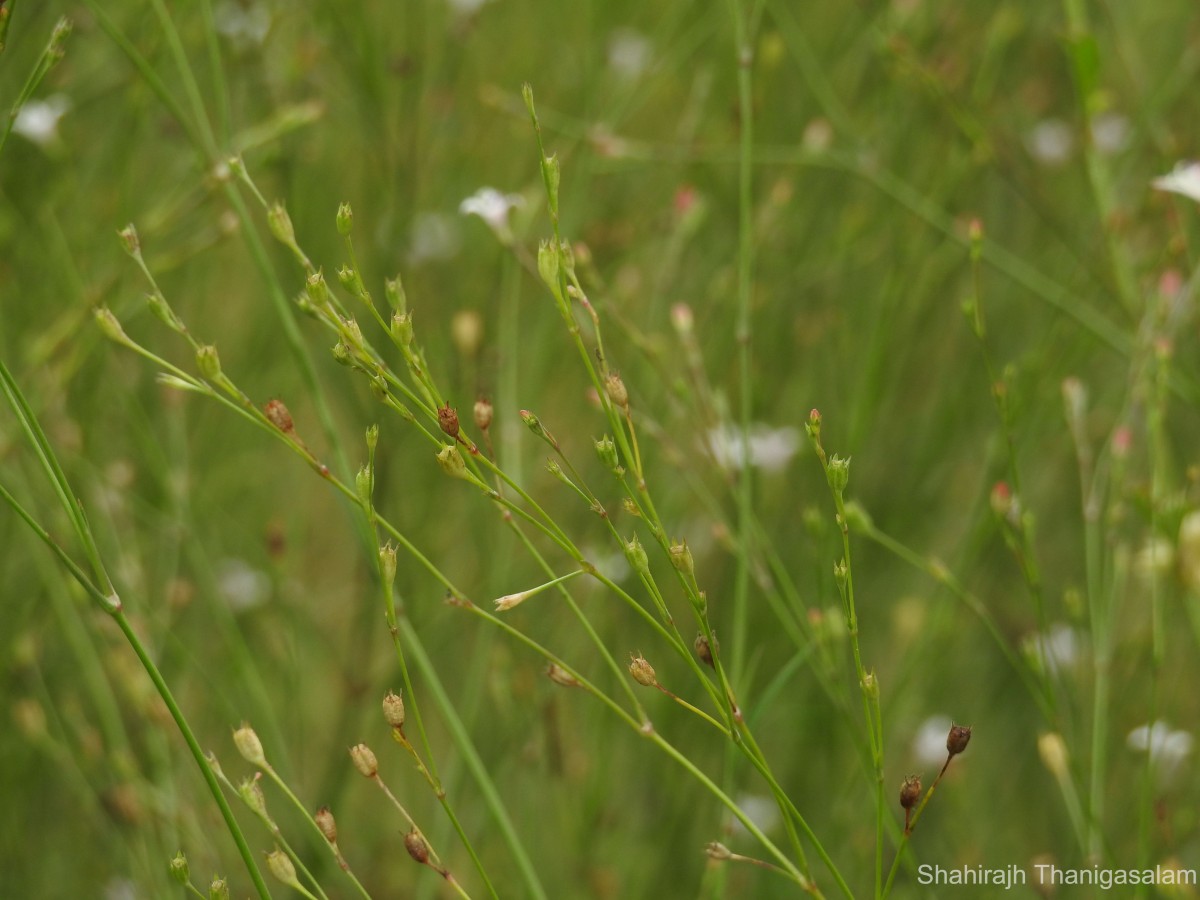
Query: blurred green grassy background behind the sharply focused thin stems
point(881, 131)
